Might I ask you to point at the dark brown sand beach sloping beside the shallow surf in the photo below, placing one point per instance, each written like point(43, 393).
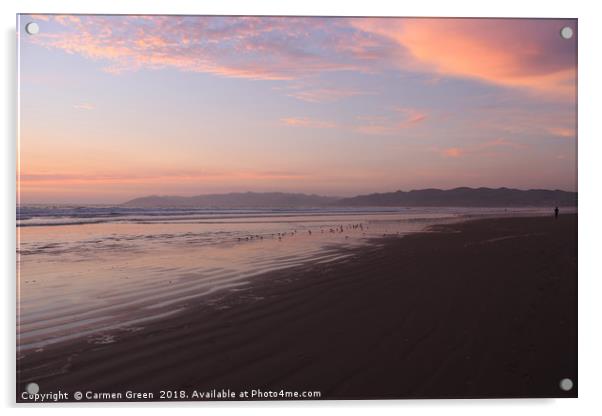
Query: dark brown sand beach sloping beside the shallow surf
point(486, 308)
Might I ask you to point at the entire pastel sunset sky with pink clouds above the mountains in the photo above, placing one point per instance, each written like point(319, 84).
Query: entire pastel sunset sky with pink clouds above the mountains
point(118, 107)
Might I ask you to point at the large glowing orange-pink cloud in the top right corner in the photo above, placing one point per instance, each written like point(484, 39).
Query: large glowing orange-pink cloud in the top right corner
point(523, 53)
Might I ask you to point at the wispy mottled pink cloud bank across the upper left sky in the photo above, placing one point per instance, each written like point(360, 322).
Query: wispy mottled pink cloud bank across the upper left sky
point(261, 48)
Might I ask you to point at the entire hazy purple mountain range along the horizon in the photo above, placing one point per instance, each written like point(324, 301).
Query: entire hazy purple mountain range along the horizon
point(458, 197)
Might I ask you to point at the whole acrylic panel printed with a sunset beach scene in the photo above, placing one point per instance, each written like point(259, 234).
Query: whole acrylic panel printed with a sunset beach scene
point(295, 208)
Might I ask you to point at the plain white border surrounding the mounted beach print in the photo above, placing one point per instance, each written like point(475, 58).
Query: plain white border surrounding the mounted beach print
point(590, 201)
